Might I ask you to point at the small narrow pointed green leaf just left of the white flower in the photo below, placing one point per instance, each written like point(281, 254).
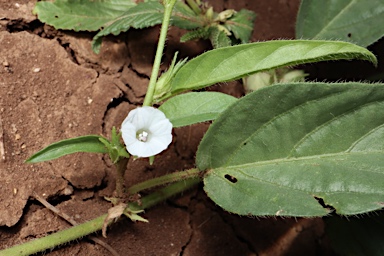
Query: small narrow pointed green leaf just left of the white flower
point(88, 144)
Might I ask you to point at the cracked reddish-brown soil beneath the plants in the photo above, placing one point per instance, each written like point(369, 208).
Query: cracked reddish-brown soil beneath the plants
point(53, 87)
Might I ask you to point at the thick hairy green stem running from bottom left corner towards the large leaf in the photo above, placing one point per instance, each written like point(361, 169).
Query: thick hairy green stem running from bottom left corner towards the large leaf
point(81, 230)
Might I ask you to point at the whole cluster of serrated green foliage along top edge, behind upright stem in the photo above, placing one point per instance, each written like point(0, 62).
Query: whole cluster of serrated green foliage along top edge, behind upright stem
point(116, 16)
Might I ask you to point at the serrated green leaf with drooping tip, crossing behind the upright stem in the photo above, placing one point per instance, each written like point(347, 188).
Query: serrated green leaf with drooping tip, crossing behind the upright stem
point(146, 14)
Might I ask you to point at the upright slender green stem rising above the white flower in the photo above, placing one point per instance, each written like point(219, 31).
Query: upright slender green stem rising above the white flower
point(168, 5)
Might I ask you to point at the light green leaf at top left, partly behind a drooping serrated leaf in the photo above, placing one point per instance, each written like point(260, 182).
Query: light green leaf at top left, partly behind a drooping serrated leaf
point(82, 14)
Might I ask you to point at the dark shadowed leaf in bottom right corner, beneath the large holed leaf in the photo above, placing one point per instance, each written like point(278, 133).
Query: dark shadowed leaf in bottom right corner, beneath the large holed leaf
point(356, 236)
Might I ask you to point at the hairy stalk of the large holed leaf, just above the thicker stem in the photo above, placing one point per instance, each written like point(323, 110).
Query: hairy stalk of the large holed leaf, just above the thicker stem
point(172, 177)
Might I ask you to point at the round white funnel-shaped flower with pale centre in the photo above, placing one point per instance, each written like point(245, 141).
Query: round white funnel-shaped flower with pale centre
point(146, 132)
